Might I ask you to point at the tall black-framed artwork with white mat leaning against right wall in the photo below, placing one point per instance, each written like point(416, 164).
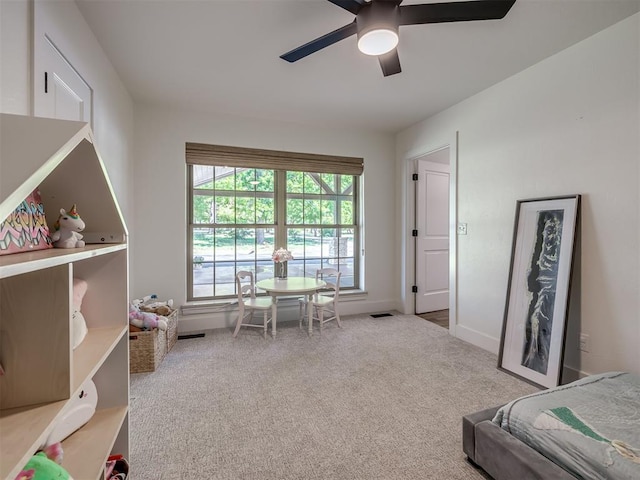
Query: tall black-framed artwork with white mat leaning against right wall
point(533, 331)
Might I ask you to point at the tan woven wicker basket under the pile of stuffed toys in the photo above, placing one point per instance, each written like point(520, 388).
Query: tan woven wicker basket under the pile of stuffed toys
point(148, 349)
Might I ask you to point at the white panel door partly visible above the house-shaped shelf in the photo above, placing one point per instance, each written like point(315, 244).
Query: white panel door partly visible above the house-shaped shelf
point(60, 92)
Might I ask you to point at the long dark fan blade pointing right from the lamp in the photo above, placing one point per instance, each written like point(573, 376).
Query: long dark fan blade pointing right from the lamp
point(454, 11)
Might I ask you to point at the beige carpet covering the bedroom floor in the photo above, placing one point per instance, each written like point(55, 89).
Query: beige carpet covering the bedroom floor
point(378, 399)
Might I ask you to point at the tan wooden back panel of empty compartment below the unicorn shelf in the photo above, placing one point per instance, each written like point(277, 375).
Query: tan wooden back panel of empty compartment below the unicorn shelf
point(35, 317)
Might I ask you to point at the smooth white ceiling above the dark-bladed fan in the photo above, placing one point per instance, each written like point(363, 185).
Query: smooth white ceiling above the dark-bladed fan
point(223, 56)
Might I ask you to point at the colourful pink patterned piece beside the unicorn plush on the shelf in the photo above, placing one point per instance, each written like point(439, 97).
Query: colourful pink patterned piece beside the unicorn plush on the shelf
point(26, 228)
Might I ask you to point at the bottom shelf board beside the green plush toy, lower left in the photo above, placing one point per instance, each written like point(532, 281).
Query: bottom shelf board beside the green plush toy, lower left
point(86, 450)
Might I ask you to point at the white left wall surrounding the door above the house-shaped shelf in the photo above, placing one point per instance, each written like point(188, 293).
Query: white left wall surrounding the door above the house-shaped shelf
point(112, 105)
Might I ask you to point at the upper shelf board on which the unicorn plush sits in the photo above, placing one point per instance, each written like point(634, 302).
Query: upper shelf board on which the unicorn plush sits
point(19, 263)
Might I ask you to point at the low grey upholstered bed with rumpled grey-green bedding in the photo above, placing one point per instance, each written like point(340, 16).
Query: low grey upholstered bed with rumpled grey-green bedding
point(588, 429)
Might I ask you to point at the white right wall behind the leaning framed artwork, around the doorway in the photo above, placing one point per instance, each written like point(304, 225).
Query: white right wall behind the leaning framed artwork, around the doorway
point(566, 125)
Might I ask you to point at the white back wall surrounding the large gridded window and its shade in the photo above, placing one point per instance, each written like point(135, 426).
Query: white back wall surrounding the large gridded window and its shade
point(160, 241)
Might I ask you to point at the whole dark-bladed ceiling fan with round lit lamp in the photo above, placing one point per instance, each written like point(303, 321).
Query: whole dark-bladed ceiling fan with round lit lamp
point(377, 22)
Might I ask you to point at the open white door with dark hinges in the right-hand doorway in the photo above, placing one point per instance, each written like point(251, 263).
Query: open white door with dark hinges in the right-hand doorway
point(432, 224)
